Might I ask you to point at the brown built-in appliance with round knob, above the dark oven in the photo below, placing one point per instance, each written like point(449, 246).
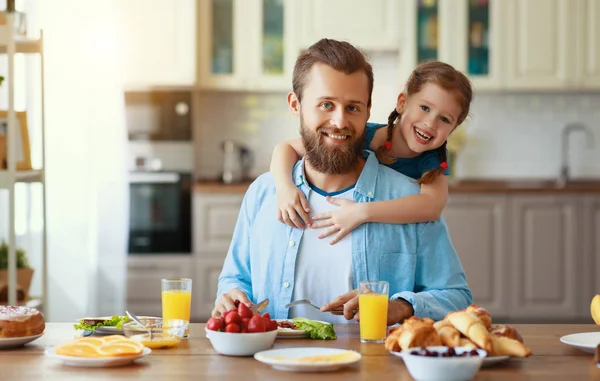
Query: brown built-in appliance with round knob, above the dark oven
point(159, 115)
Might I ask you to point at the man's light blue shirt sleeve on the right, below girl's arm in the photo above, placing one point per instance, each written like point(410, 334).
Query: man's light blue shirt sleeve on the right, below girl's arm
point(440, 281)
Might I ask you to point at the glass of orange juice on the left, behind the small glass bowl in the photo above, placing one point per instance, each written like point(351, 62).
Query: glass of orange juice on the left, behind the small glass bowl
point(177, 299)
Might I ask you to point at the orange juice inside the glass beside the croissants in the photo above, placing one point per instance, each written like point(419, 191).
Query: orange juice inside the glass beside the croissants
point(373, 316)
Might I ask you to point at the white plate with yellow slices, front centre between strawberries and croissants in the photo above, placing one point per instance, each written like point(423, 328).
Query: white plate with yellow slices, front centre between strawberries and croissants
point(274, 358)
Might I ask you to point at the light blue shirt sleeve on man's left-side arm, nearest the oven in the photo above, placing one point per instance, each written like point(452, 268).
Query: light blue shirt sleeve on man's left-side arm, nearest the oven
point(236, 269)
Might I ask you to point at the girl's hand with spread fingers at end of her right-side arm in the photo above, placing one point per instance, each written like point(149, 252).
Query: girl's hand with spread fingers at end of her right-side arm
point(342, 220)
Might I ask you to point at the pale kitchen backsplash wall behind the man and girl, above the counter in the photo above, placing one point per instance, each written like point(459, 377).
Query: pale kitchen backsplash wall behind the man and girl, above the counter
point(509, 135)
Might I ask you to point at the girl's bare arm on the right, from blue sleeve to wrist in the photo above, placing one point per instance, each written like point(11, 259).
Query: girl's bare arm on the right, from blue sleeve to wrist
point(423, 207)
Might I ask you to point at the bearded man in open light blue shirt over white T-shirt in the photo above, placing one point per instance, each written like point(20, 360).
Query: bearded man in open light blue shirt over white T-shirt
point(332, 87)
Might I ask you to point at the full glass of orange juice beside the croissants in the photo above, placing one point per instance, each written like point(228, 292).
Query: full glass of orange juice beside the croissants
point(372, 304)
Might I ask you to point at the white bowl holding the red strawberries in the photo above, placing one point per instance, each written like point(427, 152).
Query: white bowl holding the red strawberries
point(240, 344)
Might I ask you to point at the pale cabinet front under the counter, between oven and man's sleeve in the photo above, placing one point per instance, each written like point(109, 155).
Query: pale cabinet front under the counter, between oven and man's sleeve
point(214, 219)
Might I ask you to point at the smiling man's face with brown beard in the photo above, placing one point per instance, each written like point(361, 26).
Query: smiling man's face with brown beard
point(333, 114)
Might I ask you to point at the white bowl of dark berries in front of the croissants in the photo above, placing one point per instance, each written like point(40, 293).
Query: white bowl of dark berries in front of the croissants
point(423, 368)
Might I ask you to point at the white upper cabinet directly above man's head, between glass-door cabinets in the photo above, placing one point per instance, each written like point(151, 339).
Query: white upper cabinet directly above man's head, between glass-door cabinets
point(371, 25)
